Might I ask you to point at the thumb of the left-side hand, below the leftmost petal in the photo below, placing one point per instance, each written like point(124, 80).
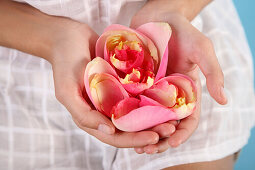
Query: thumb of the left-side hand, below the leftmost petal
point(70, 95)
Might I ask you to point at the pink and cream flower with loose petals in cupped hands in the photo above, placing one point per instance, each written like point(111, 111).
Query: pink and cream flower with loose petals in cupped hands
point(127, 80)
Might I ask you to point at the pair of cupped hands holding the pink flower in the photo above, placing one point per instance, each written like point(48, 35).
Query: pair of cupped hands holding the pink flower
point(189, 52)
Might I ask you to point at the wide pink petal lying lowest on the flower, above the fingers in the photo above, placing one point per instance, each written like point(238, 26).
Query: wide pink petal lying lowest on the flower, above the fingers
point(150, 113)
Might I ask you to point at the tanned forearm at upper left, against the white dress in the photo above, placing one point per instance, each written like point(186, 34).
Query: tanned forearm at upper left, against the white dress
point(27, 29)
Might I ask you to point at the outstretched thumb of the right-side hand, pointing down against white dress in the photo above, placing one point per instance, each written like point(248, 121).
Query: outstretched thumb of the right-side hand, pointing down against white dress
point(209, 65)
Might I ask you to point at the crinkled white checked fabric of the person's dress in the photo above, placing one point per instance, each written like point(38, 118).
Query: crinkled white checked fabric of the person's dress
point(36, 131)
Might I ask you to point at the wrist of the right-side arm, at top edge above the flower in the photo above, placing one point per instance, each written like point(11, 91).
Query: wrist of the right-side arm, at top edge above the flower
point(167, 10)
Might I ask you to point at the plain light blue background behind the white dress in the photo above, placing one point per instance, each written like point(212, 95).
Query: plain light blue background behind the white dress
point(246, 10)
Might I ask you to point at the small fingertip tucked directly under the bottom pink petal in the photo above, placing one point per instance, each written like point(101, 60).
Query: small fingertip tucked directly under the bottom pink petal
point(164, 129)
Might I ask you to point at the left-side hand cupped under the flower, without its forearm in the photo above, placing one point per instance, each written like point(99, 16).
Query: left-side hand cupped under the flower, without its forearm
point(72, 50)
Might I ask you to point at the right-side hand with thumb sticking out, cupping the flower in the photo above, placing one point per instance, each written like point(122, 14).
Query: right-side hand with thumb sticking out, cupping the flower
point(189, 50)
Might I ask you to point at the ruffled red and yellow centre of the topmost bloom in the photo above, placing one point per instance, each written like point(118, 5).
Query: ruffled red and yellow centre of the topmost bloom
point(131, 59)
